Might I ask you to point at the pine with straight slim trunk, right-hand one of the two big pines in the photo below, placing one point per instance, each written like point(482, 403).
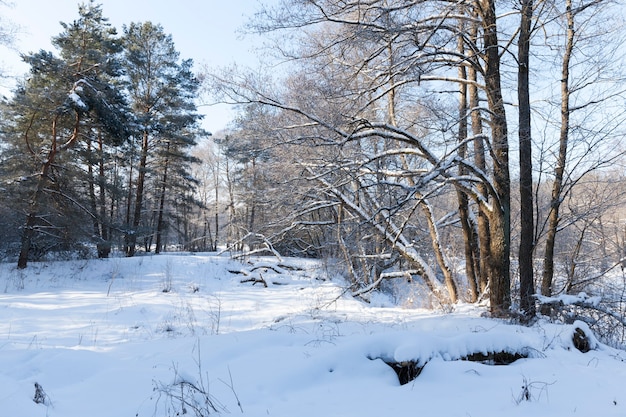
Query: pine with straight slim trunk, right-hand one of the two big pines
point(162, 91)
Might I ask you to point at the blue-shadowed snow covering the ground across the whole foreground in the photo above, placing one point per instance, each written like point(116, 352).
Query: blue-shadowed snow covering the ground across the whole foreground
point(102, 338)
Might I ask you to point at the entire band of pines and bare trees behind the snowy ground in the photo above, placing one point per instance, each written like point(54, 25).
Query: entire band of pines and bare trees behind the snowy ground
point(472, 149)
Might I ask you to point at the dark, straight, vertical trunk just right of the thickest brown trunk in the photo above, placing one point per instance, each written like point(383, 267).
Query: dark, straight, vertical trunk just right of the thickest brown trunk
point(526, 248)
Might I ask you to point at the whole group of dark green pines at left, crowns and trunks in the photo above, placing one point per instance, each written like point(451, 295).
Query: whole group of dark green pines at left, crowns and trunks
point(96, 148)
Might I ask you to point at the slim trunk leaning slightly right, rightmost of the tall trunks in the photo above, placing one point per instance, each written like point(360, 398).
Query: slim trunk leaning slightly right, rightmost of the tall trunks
point(557, 186)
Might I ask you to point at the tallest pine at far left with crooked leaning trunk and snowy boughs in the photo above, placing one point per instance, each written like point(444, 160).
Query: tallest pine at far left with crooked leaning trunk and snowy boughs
point(61, 105)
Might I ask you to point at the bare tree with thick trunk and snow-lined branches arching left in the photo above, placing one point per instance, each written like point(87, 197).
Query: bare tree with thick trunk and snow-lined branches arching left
point(360, 53)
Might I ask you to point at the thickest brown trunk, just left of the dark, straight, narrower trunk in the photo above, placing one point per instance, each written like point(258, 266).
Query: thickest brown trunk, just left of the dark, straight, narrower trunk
point(500, 217)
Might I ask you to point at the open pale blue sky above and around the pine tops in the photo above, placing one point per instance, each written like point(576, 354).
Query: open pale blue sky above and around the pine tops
point(208, 31)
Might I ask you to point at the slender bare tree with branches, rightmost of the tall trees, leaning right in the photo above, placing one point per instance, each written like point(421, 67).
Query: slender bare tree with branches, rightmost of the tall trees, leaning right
point(578, 75)
